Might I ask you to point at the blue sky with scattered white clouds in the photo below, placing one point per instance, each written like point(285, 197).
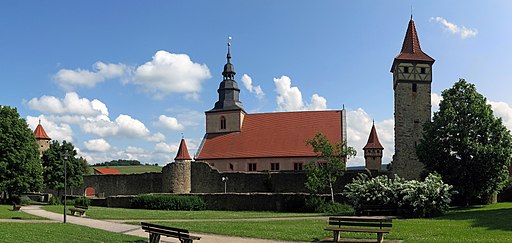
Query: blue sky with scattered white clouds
point(125, 80)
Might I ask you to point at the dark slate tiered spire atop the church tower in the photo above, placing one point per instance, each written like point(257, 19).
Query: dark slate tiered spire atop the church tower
point(229, 93)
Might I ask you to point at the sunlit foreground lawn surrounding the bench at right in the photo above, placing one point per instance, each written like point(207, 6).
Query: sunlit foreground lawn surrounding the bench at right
point(485, 224)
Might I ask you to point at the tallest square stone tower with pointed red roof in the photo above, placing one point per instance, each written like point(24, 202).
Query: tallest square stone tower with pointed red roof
point(412, 78)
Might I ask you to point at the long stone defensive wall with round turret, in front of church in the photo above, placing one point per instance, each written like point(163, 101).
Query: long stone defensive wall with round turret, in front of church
point(200, 177)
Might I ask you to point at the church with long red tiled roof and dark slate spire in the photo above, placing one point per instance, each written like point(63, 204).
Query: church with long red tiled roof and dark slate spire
point(238, 141)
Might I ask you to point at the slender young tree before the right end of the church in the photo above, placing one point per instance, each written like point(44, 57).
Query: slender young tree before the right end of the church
point(329, 165)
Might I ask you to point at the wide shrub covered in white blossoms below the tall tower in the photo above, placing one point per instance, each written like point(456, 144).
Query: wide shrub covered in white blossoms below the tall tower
point(423, 199)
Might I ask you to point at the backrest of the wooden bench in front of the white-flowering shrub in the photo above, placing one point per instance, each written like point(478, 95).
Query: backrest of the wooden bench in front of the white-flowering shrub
point(374, 222)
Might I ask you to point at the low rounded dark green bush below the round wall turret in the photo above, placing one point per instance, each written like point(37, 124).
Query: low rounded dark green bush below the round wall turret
point(168, 202)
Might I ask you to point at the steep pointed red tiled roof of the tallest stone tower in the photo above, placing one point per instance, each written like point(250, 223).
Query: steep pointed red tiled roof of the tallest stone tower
point(411, 49)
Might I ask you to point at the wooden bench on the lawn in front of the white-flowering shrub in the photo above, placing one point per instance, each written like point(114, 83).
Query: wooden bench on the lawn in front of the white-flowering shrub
point(363, 224)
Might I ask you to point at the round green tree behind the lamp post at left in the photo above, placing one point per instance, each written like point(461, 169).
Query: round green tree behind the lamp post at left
point(53, 164)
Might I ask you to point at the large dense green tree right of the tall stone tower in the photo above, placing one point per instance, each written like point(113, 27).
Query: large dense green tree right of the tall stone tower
point(466, 144)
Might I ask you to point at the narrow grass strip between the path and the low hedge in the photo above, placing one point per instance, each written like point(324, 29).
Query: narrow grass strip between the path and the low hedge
point(123, 213)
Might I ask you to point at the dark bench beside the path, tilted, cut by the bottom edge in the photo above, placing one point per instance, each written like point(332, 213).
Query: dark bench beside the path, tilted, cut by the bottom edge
point(155, 231)
